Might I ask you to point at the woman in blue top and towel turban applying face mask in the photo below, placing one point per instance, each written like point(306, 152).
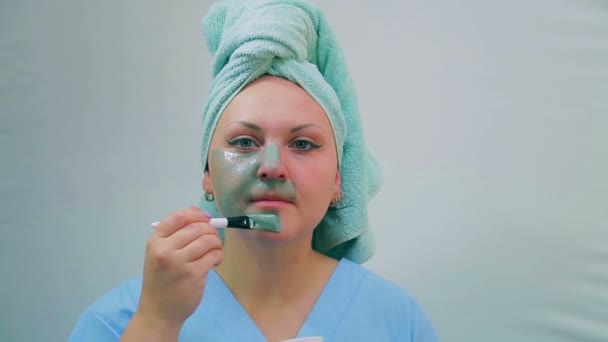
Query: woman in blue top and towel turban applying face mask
point(282, 135)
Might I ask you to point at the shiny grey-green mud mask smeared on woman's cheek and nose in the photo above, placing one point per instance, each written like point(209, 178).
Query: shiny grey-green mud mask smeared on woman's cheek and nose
point(236, 182)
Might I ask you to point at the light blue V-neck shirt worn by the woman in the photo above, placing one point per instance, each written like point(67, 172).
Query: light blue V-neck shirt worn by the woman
point(355, 305)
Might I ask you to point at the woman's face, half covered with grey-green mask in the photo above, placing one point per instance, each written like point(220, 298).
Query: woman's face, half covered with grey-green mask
point(273, 151)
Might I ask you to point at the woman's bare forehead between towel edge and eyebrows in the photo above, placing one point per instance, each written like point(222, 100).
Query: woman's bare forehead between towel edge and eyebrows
point(274, 98)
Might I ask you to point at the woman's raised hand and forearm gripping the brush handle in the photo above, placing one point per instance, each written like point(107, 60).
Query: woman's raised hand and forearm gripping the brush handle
point(179, 255)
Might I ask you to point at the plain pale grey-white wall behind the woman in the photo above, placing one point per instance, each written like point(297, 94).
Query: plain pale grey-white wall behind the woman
point(490, 118)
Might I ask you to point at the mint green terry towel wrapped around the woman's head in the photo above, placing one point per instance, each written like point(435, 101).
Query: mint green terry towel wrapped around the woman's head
point(291, 39)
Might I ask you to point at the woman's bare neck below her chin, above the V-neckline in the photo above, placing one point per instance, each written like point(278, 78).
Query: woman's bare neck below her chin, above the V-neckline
point(270, 272)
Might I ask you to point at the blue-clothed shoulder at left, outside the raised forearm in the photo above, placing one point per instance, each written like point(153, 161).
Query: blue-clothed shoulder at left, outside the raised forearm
point(108, 316)
